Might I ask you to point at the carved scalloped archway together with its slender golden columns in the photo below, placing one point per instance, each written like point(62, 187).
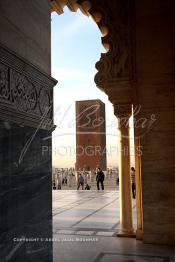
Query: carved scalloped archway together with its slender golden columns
point(116, 77)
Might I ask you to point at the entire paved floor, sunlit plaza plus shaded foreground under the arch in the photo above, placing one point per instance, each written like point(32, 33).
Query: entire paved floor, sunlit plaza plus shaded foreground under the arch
point(85, 224)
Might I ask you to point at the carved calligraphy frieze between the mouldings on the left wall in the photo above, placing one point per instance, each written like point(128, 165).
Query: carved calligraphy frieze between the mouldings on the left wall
point(22, 94)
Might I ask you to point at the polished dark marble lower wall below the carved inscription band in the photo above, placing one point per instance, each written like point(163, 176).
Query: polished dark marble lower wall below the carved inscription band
point(26, 196)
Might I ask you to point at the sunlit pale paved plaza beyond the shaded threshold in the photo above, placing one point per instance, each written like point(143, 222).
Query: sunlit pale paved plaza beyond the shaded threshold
point(87, 212)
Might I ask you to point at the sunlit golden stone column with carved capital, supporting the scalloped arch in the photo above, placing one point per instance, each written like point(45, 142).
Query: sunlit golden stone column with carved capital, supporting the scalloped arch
point(123, 113)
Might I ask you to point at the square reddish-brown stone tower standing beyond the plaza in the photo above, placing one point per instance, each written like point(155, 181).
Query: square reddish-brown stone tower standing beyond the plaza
point(90, 135)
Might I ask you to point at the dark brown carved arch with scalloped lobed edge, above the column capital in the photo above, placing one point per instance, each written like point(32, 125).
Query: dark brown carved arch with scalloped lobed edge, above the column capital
point(115, 19)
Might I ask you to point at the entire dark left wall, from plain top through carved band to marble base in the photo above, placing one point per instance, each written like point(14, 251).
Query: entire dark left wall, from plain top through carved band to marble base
point(26, 95)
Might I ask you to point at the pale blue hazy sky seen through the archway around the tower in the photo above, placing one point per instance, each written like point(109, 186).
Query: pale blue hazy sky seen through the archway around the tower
point(76, 47)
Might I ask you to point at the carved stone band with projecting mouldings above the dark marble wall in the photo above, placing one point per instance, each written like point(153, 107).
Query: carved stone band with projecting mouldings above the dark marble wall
point(26, 94)
